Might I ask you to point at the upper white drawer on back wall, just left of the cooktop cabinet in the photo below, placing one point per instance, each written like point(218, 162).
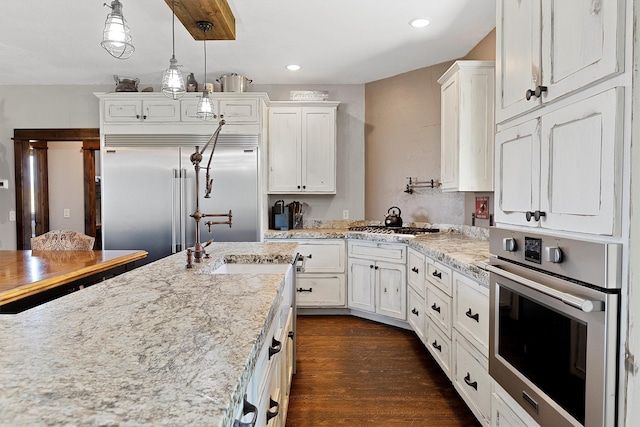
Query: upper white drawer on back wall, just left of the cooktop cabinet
point(323, 256)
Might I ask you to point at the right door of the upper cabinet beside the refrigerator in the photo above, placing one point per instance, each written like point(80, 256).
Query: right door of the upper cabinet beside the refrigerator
point(318, 150)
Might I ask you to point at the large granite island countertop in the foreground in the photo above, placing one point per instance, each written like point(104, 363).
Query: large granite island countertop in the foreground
point(160, 345)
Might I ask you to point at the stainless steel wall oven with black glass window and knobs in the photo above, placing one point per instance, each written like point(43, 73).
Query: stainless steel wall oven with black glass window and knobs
point(554, 338)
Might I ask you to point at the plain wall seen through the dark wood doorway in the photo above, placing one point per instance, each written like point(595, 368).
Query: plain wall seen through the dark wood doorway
point(66, 185)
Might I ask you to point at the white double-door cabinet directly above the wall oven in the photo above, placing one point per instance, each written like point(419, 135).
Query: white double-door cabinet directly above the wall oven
point(563, 170)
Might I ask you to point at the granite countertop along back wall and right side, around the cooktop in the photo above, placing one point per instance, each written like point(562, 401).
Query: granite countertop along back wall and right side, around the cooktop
point(458, 246)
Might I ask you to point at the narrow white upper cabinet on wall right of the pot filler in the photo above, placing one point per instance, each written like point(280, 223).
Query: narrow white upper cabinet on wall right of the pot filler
point(467, 126)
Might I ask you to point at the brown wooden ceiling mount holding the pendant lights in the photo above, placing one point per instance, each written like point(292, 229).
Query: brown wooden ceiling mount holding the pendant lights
point(217, 12)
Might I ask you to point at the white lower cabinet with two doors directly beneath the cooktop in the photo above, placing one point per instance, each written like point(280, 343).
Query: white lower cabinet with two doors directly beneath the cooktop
point(376, 284)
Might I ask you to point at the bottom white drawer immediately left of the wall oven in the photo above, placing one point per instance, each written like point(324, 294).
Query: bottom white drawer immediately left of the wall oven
point(472, 378)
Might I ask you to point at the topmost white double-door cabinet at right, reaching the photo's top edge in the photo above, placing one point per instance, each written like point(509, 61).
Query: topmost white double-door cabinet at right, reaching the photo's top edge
point(550, 48)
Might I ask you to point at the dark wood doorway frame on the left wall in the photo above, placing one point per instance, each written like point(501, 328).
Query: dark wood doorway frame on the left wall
point(32, 186)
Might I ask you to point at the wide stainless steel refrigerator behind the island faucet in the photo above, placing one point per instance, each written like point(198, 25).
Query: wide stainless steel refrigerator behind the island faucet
point(148, 191)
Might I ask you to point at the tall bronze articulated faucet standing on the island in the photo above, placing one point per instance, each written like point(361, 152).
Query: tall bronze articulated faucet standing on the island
point(198, 251)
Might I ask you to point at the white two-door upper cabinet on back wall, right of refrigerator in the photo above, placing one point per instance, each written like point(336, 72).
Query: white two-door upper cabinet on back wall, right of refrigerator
point(302, 148)
